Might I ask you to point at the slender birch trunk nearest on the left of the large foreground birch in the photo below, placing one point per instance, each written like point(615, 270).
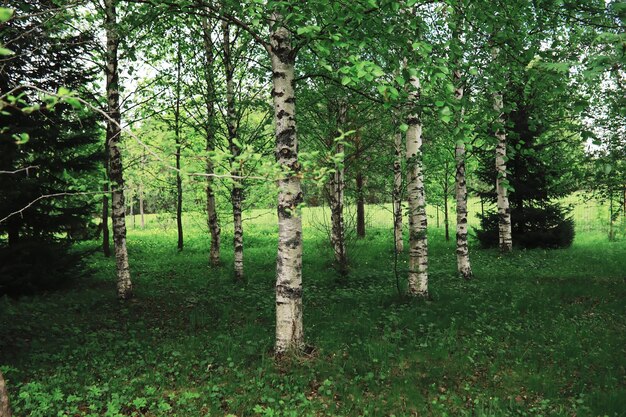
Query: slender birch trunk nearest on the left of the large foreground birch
point(236, 193)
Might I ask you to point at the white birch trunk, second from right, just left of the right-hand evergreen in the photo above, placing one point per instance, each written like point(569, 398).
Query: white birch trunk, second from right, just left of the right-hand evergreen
point(462, 249)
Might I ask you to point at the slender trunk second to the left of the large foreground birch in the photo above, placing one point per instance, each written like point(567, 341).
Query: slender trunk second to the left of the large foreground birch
point(212, 219)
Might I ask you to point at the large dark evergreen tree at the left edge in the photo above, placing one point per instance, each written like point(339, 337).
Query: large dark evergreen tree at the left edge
point(60, 143)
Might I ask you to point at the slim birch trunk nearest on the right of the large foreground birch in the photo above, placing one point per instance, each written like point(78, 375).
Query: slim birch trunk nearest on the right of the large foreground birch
point(336, 188)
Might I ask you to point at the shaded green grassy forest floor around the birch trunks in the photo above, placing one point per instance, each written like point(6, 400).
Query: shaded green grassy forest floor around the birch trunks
point(536, 333)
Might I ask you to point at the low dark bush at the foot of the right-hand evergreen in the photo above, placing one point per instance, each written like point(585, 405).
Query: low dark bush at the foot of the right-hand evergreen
point(532, 227)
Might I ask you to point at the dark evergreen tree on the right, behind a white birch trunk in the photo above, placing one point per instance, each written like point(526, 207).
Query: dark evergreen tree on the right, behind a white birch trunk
point(542, 167)
